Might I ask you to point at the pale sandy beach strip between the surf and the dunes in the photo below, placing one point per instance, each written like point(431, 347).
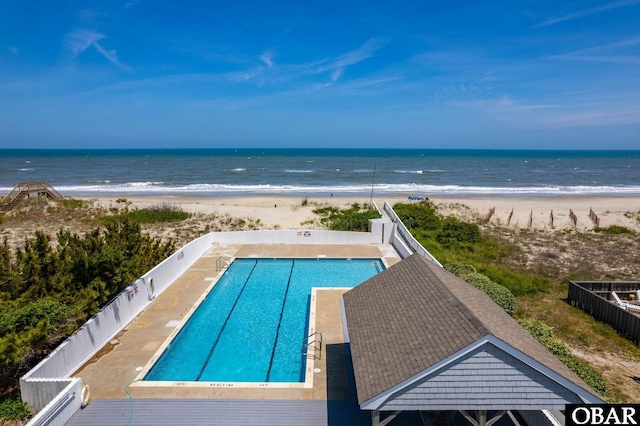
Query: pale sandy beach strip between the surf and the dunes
point(289, 212)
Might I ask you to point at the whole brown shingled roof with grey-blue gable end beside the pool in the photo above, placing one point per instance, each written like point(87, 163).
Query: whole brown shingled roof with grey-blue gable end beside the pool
point(419, 333)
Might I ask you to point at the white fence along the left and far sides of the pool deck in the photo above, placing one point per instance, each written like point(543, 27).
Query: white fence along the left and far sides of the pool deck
point(47, 387)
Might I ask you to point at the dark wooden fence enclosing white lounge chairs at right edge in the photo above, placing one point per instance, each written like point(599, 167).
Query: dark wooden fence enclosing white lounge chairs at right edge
point(594, 299)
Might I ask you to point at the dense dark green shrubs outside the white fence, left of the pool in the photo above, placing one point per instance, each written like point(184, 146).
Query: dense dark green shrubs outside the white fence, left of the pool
point(47, 290)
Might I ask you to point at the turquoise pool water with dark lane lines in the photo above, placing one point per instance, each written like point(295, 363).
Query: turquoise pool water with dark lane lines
point(251, 326)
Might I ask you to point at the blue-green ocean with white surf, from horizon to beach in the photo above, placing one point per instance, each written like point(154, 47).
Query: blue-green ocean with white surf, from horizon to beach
point(321, 172)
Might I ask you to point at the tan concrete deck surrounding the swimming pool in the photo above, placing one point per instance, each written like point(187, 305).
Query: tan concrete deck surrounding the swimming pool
point(126, 357)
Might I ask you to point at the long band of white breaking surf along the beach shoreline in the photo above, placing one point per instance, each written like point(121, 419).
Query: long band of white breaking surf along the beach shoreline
point(150, 188)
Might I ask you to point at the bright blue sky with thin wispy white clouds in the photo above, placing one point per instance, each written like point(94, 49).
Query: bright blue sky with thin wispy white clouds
point(401, 74)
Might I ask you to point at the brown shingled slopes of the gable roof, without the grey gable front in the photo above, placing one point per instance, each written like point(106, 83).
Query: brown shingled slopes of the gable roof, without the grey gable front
point(415, 315)
